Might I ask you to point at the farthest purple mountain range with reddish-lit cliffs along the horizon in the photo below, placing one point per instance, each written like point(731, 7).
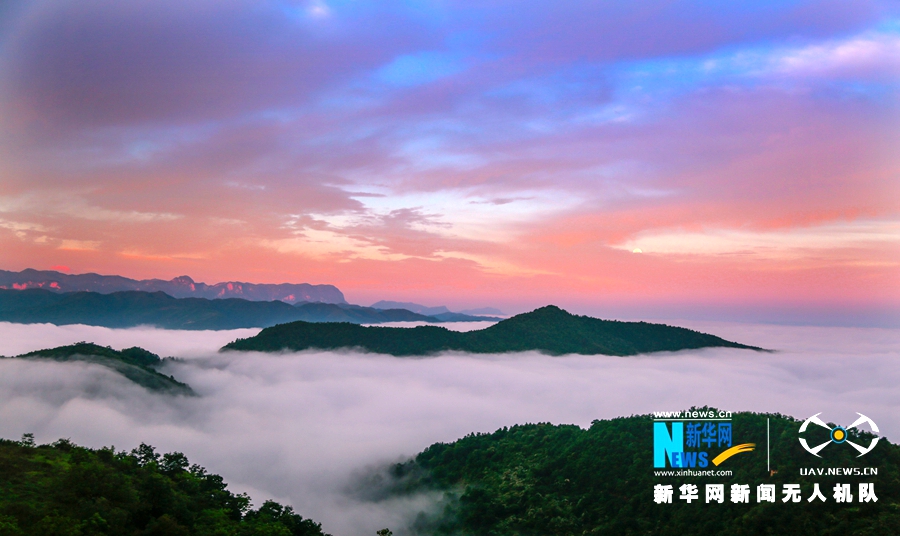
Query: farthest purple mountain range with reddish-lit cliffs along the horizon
point(180, 287)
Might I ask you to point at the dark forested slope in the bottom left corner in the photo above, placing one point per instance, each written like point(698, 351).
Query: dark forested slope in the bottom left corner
point(66, 490)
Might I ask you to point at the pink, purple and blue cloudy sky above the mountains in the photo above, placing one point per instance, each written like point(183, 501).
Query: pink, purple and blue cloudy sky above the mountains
point(490, 153)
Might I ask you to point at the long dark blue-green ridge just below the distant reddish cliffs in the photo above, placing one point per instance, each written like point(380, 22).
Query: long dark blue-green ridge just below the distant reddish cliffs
point(136, 308)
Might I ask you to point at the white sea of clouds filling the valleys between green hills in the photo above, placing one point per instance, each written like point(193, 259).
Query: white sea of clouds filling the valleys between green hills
point(302, 428)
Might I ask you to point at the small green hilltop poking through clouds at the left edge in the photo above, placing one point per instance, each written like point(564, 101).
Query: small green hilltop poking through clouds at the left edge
point(136, 364)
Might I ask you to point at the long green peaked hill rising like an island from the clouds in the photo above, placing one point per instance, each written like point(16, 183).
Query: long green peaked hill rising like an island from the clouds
point(548, 329)
